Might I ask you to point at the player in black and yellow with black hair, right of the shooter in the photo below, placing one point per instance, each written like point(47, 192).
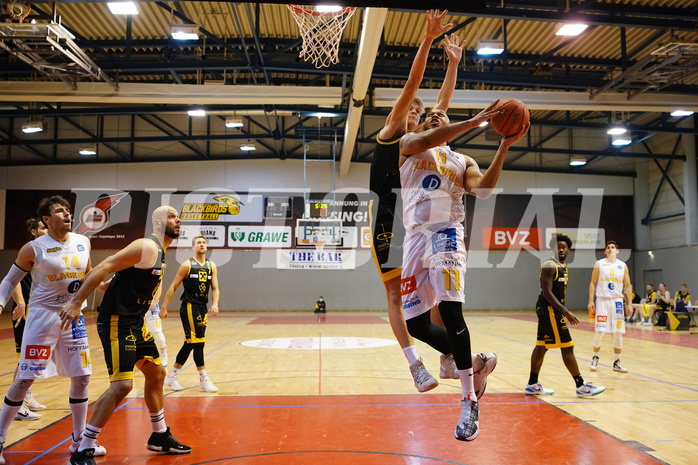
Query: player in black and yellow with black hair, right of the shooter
point(553, 318)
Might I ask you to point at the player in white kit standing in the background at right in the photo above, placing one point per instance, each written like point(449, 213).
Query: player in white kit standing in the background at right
point(609, 280)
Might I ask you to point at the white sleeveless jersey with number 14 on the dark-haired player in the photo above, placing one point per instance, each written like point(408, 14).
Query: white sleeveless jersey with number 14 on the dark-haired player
point(58, 269)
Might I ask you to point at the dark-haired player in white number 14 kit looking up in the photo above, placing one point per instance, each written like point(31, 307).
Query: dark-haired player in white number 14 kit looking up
point(57, 261)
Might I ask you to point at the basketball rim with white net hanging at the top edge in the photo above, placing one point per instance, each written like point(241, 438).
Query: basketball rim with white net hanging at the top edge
point(321, 33)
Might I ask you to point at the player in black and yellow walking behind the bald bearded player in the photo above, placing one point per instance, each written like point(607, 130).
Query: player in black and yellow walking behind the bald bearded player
point(197, 275)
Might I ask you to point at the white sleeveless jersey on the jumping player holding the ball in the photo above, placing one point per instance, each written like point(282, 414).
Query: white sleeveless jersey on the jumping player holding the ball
point(432, 189)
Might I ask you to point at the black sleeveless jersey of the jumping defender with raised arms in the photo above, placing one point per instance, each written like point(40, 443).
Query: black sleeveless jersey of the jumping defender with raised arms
point(385, 171)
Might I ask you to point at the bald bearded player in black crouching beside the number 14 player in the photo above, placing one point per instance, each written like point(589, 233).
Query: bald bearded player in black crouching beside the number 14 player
point(126, 341)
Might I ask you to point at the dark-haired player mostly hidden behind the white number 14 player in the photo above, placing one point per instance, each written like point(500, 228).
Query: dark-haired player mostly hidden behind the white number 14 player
point(35, 228)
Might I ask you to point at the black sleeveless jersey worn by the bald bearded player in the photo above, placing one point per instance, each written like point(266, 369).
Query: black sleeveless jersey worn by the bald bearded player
point(131, 290)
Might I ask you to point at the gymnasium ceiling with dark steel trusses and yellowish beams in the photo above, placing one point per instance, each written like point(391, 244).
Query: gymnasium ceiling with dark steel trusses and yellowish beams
point(637, 61)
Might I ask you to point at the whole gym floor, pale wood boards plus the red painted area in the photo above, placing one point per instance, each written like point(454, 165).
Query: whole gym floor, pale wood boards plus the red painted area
point(317, 390)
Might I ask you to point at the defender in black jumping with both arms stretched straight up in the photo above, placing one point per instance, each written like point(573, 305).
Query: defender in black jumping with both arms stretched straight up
point(386, 220)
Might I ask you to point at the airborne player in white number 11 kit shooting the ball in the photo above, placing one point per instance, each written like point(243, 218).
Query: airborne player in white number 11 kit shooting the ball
point(434, 179)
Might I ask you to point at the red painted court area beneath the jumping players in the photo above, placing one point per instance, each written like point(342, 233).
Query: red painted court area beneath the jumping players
point(343, 430)
